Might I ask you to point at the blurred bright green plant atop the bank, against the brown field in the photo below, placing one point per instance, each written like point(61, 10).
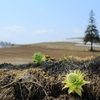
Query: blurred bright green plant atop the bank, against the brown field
point(38, 58)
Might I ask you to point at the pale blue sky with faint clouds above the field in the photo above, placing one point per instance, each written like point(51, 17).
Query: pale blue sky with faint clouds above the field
point(35, 21)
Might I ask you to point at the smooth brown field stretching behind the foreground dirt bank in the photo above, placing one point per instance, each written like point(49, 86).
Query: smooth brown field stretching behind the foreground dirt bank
point(23, 53)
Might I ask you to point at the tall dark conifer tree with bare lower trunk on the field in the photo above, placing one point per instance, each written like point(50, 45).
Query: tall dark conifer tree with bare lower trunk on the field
point(91, 33)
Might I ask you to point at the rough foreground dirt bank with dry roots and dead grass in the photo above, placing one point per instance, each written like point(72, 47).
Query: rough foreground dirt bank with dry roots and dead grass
point(44, 81)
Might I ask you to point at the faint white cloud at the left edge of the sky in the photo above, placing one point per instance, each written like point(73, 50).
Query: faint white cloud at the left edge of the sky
point(13, 28)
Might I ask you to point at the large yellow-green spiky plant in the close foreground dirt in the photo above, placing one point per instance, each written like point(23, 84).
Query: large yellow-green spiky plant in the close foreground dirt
point(74, 81)
